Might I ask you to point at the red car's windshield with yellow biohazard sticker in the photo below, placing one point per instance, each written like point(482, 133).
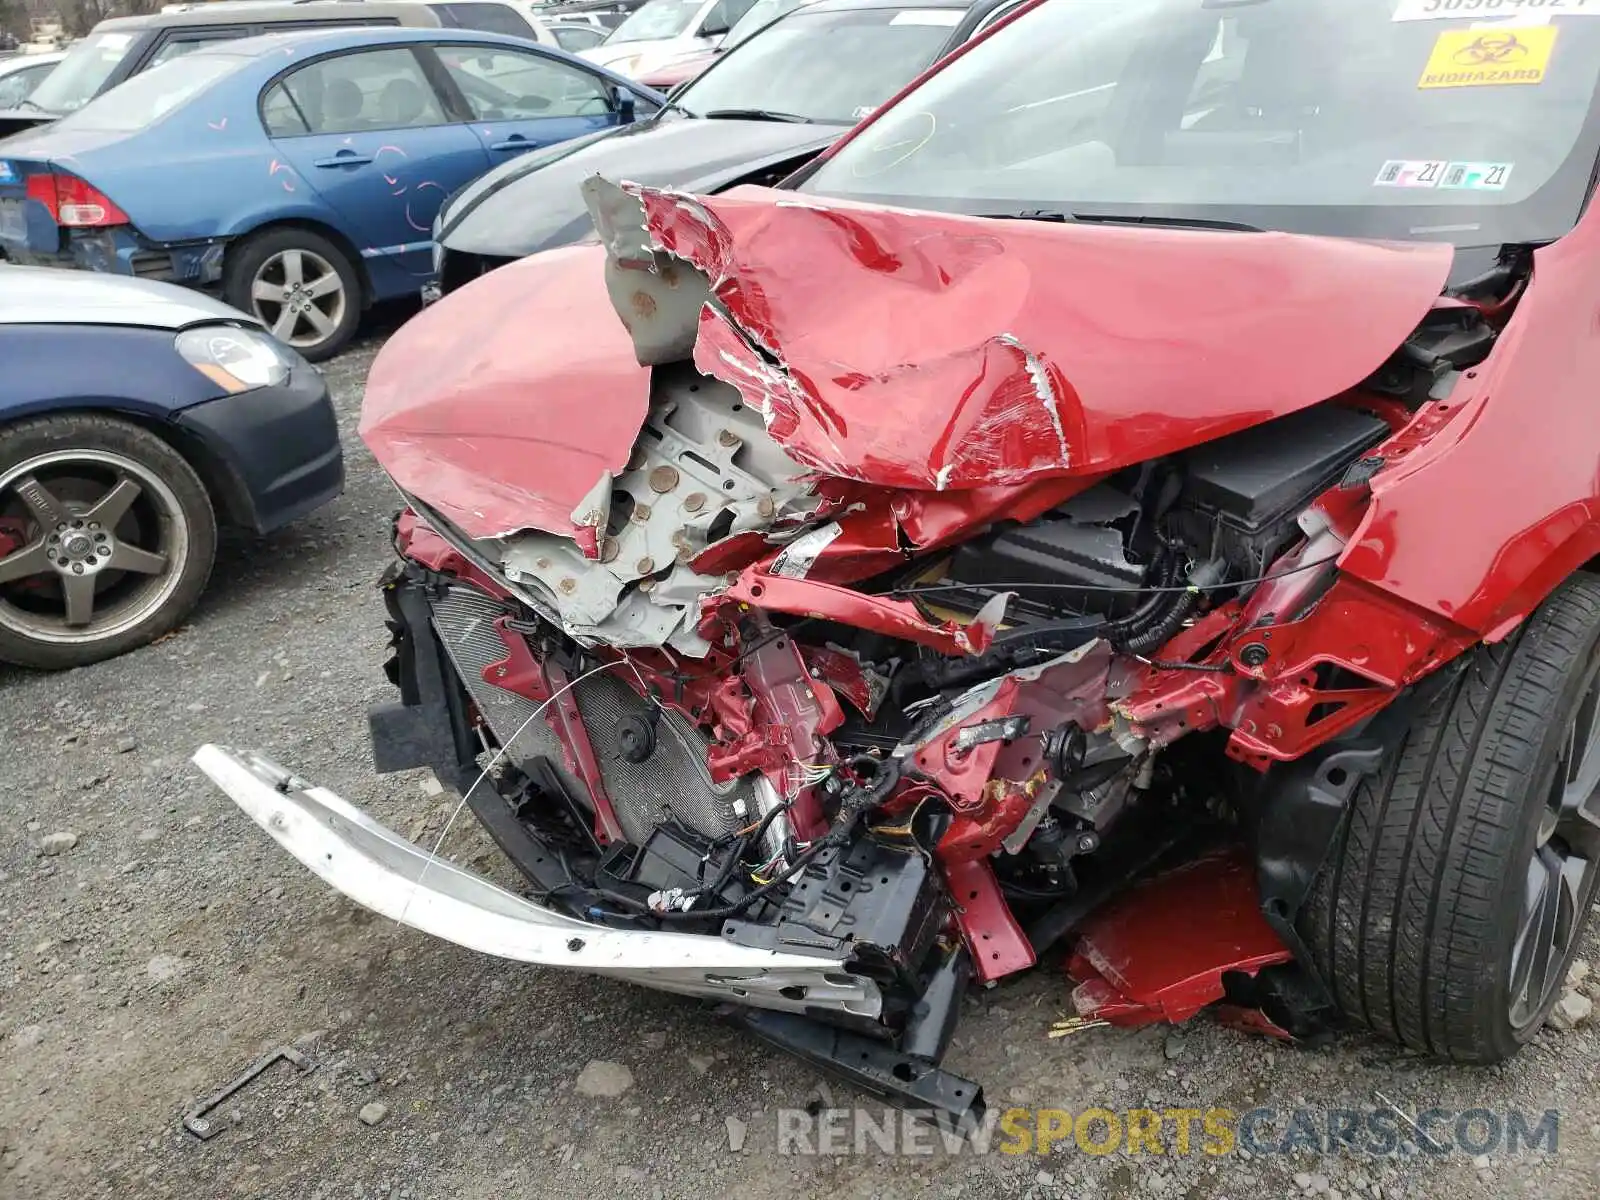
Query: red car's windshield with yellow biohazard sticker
point(1402, 119)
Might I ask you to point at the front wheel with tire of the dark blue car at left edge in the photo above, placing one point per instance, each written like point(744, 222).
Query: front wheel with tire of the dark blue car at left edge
point(106, 540)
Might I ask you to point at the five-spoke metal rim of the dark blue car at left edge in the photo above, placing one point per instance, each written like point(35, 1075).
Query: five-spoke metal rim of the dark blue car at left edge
point(92, 545)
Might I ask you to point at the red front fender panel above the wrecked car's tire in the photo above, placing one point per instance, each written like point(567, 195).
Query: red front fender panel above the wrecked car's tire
point(1492, 498)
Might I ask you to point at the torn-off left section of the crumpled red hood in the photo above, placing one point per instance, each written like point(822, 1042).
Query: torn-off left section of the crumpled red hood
point(505, 407)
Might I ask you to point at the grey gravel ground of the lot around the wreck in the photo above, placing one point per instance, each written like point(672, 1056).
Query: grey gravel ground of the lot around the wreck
point(172, 945)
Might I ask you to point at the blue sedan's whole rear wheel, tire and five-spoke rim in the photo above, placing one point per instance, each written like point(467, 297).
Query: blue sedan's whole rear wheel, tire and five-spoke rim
point(300, 286)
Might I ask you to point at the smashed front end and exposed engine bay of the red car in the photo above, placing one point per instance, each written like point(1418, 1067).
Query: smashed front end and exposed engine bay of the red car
point(913, 735)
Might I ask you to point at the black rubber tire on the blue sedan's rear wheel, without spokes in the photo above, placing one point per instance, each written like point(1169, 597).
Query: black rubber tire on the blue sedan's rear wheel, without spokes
point(254, 260)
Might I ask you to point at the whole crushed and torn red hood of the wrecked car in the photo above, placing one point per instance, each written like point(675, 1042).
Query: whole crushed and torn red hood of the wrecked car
point(903, 350)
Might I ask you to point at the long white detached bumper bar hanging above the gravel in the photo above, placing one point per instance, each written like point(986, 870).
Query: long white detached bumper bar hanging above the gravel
point(382, 871)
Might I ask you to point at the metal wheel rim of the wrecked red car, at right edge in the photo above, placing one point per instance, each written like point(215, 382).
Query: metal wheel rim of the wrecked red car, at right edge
point(1561, 871)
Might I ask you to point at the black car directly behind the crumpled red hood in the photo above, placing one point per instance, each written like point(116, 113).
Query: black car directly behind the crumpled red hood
point(756, 116)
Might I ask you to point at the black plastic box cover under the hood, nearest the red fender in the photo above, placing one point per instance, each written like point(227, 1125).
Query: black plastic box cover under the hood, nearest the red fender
point(1260, 476)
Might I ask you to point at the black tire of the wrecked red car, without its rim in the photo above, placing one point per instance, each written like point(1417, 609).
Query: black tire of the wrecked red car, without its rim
point(1415, 918)
